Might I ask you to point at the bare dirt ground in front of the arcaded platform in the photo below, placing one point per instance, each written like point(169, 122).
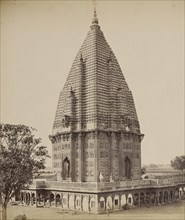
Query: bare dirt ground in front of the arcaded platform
point(174, 211)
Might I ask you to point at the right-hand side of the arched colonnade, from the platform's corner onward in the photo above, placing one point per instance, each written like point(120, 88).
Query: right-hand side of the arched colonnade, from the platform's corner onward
point(140, 198)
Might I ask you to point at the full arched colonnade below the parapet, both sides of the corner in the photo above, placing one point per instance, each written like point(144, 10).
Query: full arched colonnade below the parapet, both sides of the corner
point(102, 201)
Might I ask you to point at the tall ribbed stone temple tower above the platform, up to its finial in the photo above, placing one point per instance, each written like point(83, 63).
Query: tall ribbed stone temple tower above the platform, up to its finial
point(96, 133)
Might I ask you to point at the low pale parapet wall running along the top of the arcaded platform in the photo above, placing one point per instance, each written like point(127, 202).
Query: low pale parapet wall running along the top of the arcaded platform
point(102, 186)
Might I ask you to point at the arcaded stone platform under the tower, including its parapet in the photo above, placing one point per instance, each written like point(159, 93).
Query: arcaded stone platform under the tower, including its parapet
point(99, 197)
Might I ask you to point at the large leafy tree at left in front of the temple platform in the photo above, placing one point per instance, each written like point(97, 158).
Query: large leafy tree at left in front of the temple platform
point(21, 156)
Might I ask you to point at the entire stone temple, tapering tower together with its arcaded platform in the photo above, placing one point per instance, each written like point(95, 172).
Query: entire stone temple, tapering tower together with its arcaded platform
point(96, 140)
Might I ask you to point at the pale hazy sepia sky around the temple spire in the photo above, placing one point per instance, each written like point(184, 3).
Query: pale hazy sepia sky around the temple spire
point(40, 39)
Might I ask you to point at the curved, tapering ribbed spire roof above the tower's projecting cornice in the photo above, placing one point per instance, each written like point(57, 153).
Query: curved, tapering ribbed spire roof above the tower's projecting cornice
point(101, 93)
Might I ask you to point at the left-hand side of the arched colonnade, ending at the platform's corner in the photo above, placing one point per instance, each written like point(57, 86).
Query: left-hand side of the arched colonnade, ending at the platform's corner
point(67, 201)
